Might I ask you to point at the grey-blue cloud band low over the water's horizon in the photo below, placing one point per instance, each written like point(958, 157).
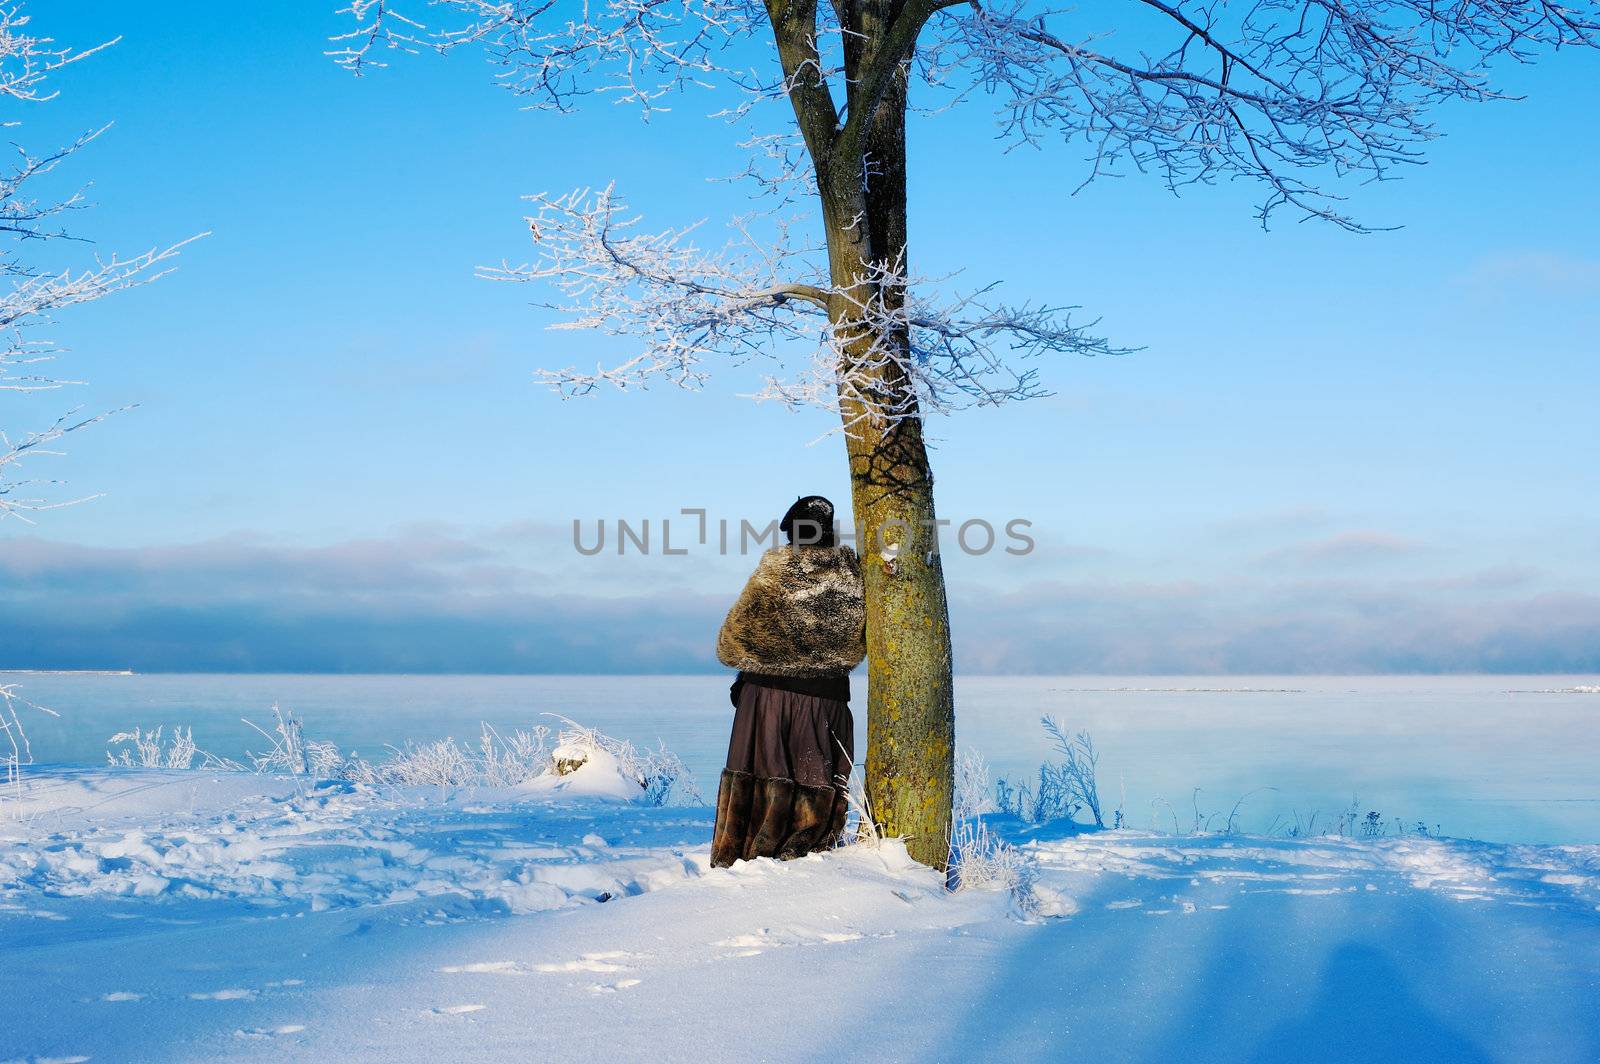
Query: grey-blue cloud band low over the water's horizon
point(433, 602)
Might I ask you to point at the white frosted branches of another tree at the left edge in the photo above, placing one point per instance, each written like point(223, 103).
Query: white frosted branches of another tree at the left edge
point(38, 295)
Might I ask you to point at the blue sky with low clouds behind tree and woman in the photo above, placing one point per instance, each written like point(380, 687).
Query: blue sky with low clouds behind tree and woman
point(1330, 454)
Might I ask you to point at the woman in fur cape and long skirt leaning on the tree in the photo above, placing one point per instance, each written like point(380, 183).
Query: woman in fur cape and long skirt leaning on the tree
point(796, 633)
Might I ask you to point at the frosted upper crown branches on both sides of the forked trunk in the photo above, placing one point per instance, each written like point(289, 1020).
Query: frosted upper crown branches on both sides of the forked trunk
point(1194, 90)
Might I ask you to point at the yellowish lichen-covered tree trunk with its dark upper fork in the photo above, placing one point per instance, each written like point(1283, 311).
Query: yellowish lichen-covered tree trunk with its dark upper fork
point(862, 182)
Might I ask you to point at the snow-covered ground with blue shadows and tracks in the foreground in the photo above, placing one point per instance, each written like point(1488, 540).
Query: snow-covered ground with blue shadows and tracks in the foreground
point(186, 916)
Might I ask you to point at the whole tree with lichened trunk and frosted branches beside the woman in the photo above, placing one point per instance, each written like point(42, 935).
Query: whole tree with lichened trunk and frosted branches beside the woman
point(1282, 92)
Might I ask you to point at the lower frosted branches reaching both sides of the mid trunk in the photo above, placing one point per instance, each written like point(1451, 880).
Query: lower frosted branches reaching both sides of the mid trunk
point(687, 306)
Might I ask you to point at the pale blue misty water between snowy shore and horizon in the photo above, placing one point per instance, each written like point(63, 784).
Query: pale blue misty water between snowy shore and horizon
point(1502, 759)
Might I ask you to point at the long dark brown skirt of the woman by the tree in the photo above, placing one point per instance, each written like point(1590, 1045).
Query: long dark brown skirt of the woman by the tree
point(783, 793)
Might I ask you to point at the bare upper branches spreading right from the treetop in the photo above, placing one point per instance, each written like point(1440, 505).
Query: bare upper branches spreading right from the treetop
point(1274, 90)
